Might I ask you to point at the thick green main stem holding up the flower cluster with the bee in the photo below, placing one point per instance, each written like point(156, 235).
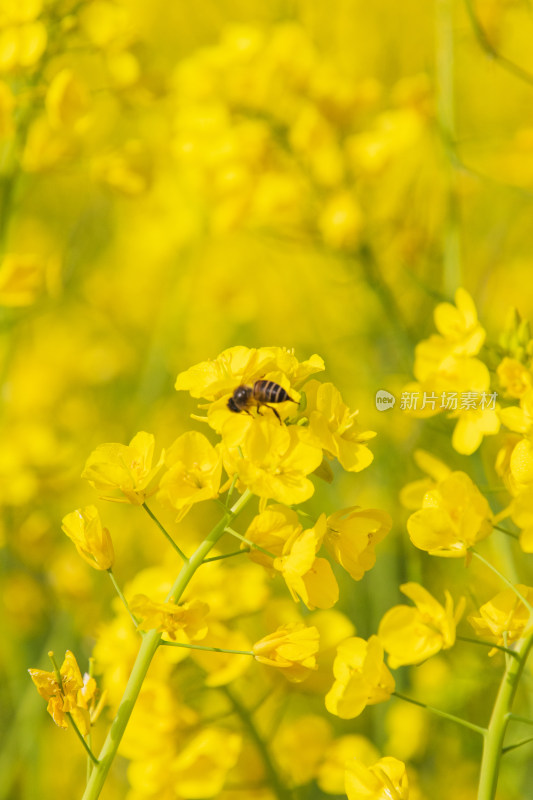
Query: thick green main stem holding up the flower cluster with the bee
point(148, 647)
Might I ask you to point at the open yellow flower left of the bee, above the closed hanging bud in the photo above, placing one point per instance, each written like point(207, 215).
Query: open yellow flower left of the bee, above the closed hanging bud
point(123, 470)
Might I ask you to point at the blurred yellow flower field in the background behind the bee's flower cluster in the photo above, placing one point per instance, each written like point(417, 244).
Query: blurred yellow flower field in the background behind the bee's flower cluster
point(178, 178)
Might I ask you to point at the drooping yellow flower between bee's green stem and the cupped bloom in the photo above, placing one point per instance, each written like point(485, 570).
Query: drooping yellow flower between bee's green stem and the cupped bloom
point(307, 576)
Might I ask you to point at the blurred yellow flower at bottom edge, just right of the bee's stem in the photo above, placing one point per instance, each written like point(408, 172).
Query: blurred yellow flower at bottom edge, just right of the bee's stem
point(200, 769)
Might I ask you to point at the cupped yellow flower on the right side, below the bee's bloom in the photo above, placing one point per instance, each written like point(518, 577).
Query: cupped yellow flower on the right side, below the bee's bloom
point(351, 536)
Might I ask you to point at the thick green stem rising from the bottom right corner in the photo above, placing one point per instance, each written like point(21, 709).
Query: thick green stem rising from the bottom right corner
point(493, 743)
